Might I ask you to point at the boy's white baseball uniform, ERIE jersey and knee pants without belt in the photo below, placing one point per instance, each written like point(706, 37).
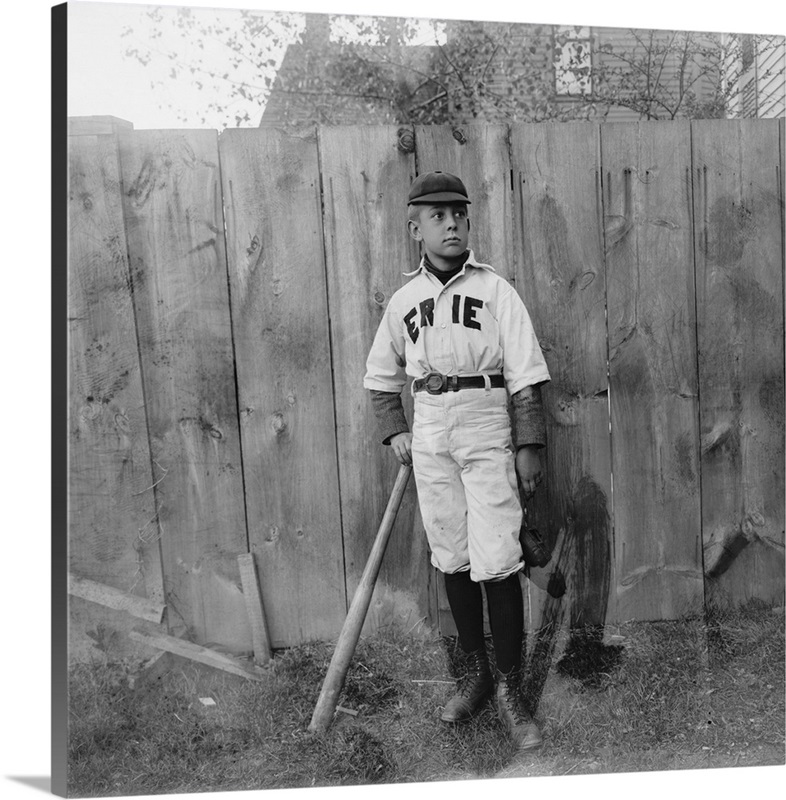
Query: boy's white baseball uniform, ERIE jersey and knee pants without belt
point(462, 453)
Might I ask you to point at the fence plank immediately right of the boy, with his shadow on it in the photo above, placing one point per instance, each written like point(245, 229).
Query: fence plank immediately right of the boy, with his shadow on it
point(562, 281)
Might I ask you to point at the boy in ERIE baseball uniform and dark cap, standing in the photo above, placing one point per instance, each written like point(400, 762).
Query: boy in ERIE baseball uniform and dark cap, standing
point(463, 335)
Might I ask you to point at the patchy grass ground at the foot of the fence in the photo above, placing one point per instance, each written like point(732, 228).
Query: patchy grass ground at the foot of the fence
point(672, 695)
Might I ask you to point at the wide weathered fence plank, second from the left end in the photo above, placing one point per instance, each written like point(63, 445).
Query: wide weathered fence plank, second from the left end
point(175, 230)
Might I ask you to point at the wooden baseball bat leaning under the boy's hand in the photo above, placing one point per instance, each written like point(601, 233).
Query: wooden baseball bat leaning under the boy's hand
point(356, 616)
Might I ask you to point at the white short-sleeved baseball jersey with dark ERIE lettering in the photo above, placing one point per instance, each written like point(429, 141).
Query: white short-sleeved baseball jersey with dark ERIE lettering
point(476, 323)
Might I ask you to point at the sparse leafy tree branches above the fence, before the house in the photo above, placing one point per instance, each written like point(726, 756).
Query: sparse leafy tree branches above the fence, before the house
point(391, 70)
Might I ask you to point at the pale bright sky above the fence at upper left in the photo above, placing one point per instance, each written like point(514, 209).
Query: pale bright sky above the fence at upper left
point(153, 96)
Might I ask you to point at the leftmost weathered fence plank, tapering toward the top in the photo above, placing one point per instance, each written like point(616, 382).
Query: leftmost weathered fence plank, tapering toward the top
point(113, 533)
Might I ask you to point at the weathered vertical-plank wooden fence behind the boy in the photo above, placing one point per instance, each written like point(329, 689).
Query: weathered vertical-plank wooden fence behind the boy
point(224, 292)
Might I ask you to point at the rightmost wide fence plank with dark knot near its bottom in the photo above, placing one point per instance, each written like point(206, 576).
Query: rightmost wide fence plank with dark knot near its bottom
point(739, 252)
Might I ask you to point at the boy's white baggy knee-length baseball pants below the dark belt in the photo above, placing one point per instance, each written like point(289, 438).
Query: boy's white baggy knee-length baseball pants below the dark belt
point(464, 467)
